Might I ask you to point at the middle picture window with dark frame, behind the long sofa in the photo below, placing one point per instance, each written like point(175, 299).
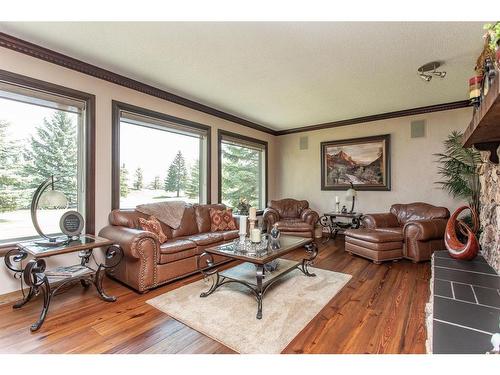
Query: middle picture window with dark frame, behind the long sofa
point(158, 158)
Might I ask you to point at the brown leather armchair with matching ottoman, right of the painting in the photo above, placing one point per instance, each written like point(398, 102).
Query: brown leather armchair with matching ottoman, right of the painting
point(411, 231)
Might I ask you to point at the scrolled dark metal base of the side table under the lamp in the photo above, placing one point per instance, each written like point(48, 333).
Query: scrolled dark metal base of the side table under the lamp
point(33, 275)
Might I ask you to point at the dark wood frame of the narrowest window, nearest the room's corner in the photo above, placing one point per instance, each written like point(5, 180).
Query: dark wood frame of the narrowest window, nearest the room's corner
point(220, 136)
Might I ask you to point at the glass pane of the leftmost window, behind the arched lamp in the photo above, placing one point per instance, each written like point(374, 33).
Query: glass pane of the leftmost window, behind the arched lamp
point(35, 143)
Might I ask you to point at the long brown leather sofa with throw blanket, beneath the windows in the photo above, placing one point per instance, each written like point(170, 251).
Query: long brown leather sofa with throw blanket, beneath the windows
point(147, 263)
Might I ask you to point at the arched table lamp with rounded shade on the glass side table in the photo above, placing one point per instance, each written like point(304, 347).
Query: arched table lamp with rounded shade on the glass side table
point(51, 199)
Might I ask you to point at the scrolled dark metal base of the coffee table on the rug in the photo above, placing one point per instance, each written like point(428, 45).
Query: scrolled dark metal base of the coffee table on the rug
point(260, 287)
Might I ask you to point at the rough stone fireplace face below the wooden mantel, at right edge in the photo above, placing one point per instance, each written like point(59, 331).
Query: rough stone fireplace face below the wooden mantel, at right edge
point(489, 176)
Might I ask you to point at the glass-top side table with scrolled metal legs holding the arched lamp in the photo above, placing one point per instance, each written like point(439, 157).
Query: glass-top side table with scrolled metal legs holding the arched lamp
point(46, 282)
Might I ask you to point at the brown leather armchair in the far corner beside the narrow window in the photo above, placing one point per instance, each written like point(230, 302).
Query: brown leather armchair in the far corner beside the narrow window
point(293, 217)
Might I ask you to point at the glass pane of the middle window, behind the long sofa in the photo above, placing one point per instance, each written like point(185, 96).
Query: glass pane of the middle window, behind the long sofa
point(159, 165)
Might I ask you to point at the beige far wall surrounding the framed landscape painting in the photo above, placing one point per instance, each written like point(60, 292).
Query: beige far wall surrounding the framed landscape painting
point(413, 168)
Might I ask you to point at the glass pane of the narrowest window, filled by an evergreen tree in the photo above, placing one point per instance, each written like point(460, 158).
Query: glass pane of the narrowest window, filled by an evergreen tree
point(242, 175)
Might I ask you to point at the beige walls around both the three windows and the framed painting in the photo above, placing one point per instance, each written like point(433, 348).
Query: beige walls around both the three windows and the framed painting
point(292, 173)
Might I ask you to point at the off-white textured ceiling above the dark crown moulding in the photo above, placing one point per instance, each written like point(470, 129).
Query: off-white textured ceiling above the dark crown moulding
point(281, 75)
